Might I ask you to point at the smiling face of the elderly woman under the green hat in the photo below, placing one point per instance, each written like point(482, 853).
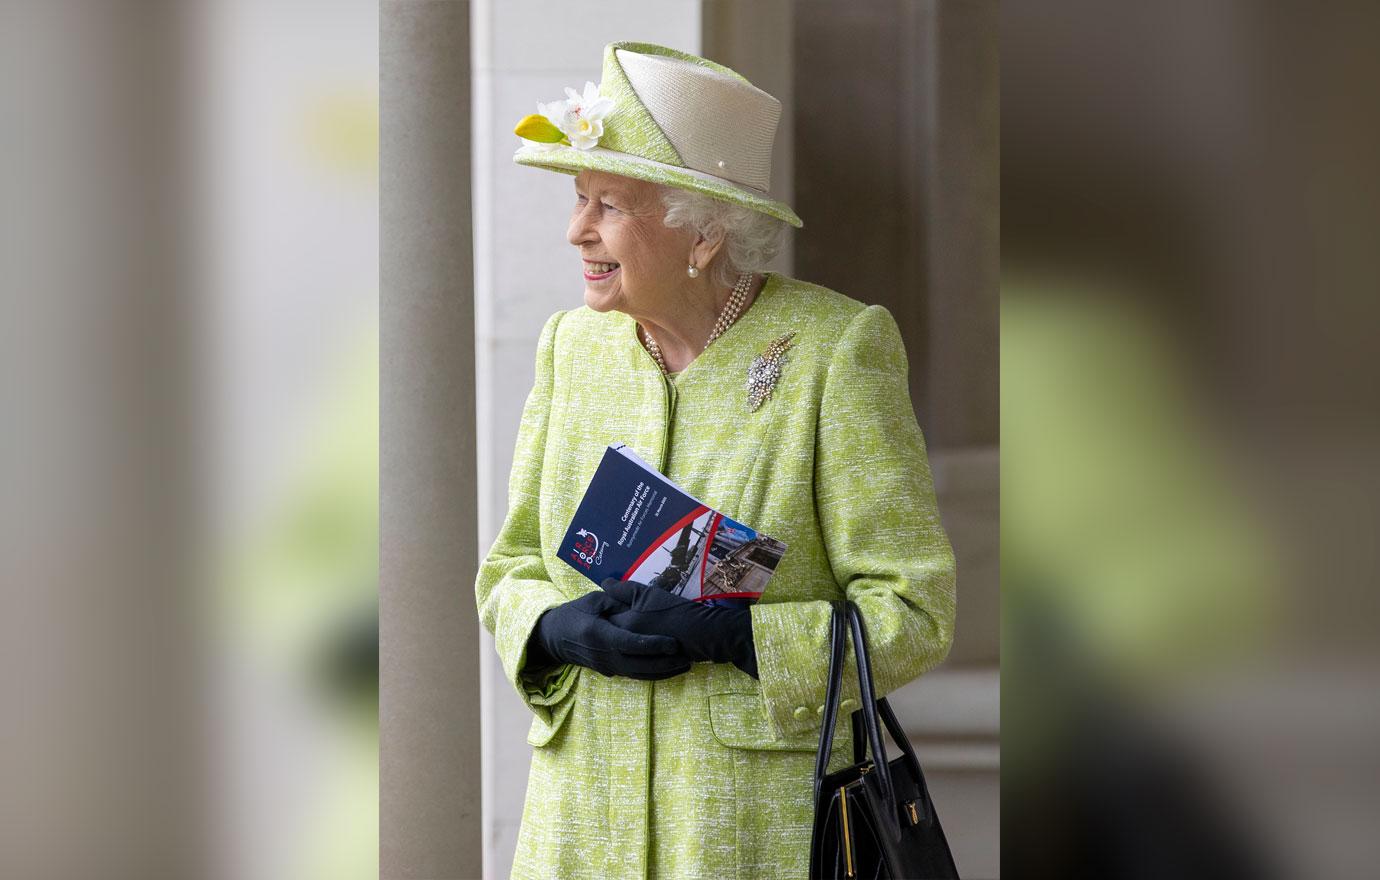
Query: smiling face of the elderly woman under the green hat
point(619, 220)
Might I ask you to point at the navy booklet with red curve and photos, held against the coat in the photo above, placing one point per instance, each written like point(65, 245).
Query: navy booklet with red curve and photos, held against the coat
point(635, 525)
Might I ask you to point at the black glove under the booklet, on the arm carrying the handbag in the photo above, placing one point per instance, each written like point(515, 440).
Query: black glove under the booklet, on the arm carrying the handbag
point(713, 634)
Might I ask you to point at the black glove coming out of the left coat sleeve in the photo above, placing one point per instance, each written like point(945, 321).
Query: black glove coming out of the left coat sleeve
point(579, 632)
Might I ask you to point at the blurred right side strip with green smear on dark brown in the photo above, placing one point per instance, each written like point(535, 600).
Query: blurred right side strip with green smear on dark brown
point(1189, 420)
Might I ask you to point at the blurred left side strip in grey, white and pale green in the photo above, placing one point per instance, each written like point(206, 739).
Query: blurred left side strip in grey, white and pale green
point(191, 439)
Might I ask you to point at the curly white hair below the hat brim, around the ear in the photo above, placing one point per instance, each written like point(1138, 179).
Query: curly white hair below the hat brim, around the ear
point(751, 238)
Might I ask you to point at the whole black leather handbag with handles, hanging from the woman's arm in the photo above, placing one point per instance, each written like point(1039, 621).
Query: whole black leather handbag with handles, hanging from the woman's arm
point(873, 819)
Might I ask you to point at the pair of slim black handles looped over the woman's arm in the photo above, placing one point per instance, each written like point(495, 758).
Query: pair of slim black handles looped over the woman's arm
point(869, 712)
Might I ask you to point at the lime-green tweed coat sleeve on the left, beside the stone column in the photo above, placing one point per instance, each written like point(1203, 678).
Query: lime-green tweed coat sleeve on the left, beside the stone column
point(513, 587)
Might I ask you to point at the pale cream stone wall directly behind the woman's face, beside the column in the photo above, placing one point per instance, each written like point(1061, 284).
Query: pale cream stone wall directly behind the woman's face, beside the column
point(525, 270)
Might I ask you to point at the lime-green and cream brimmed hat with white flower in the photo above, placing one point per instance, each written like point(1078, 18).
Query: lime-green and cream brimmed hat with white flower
point(669, 118)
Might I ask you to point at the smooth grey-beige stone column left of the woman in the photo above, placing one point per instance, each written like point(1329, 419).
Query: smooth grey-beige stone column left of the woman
point(430, 772)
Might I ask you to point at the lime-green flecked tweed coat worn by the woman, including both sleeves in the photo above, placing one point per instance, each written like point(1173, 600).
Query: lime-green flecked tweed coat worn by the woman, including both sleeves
point(710, 774)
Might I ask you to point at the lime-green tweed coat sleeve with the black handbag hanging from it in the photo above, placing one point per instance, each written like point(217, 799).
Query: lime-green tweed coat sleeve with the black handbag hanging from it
point(876, 506)
